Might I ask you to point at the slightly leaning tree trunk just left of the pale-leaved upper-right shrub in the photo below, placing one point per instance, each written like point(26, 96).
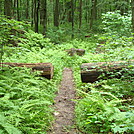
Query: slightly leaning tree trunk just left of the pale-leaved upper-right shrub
point(93, 12)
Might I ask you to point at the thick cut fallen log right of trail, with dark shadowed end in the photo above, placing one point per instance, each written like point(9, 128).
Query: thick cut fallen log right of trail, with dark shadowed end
point(90, 72)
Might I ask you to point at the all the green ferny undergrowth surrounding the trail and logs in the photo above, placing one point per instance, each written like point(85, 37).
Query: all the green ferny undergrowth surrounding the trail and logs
point(105, 106)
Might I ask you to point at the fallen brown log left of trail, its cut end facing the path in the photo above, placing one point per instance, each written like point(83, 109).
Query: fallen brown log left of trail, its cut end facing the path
point(46, 69)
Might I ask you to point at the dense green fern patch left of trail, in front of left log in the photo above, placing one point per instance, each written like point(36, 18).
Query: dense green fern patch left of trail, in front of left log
point(24, 102)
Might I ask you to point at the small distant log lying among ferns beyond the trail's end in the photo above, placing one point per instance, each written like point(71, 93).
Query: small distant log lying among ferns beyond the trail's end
point(74, 51)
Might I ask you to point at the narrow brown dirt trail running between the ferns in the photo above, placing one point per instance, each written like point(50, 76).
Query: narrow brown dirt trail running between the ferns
point(64, 106)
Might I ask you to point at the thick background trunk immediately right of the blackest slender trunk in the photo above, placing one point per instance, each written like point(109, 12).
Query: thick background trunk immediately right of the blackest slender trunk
point(44, 15)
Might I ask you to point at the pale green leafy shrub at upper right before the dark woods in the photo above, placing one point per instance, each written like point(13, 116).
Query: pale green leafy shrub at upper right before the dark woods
point(116, 24)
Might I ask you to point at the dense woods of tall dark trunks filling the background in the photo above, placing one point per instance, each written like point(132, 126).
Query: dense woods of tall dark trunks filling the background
point(44, 14)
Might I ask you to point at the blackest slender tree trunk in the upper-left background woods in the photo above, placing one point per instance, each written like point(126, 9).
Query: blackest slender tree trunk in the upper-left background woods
point(36, 14)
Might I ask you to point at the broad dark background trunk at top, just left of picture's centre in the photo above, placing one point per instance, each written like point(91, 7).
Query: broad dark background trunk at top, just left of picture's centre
point(56, 14)
